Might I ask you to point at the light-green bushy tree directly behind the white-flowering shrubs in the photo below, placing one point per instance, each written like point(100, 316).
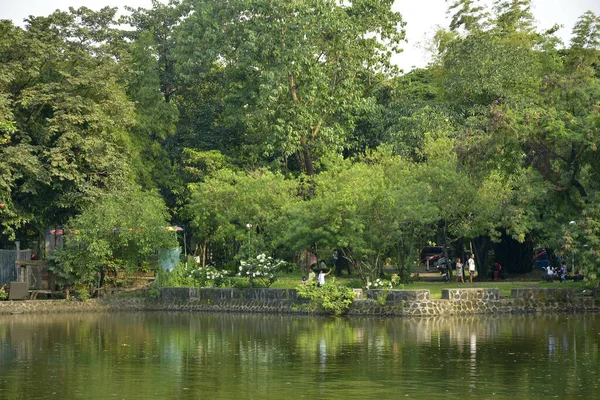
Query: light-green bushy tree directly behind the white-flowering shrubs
point(243, 206)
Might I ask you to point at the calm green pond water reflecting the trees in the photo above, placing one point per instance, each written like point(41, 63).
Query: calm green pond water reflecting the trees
point(216, 356)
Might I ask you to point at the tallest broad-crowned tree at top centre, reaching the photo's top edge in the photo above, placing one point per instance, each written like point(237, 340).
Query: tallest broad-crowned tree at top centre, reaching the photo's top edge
point(294, 67)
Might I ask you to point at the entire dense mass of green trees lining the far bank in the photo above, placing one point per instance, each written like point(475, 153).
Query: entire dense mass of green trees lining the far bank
point(283, 128)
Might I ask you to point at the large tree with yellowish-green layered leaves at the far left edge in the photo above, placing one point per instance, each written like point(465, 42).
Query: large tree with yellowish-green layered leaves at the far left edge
point(64, 116)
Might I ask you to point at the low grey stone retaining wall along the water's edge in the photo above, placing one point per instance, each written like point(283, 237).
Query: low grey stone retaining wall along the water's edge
point(415, 303)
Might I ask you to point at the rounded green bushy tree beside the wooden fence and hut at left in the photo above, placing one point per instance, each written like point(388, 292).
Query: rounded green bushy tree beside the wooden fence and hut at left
point(121, 230)
